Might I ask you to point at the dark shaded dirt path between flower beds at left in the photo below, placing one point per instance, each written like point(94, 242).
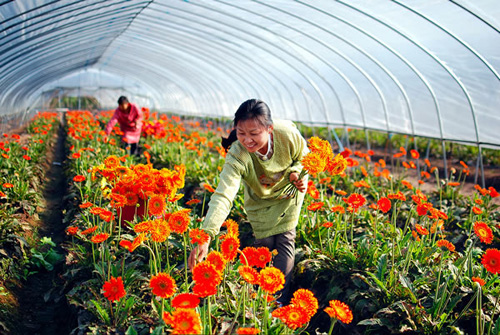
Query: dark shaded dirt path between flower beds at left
point(43, 308)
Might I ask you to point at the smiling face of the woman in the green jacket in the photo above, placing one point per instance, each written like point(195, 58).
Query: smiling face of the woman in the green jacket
point(253, 135)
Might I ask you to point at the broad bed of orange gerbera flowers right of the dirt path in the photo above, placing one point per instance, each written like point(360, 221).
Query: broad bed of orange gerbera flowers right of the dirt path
point(401, 257)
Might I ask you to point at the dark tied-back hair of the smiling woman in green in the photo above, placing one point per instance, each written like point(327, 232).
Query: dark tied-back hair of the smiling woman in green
point(252, 109)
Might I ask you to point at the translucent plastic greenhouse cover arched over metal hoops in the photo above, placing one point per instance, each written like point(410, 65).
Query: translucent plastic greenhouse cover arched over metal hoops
point(425, 68)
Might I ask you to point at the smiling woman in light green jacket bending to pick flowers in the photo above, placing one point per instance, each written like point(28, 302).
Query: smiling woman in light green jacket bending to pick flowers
point(265, 156)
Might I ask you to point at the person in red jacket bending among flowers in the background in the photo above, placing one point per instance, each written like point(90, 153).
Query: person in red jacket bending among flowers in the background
point(129, 117)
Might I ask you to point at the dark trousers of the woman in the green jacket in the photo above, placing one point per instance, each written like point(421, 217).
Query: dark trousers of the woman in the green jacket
point(284, 243)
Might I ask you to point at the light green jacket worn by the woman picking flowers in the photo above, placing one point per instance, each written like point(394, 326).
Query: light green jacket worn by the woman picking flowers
point(268, 211)
